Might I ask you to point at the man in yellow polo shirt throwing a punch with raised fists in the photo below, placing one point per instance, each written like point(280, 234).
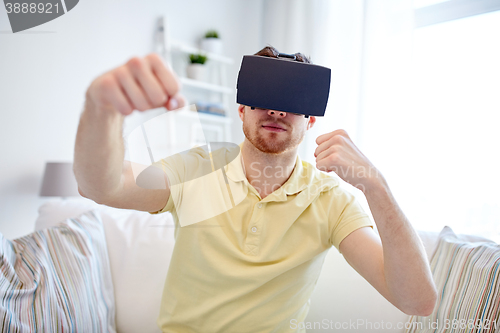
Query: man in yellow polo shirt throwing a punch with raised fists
point(253, 267)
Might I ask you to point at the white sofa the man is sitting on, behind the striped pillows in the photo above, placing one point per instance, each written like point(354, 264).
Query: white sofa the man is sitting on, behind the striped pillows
point(139, 248)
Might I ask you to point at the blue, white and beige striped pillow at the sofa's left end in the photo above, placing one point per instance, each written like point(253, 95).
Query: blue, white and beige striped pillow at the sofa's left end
point(57, 279)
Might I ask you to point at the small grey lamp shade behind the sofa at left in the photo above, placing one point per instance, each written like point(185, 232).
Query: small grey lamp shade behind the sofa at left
point(59, 180)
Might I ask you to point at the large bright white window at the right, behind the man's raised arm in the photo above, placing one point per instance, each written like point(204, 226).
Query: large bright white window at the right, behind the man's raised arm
point(454, 137)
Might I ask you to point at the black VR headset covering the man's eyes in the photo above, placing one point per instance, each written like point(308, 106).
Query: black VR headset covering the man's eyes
point(283, 85)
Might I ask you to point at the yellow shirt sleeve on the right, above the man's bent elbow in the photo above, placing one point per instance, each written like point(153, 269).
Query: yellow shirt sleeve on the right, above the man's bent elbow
point(346, 215)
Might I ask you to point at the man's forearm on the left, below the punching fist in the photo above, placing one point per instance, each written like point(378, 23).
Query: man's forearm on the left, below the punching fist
point(99, 152)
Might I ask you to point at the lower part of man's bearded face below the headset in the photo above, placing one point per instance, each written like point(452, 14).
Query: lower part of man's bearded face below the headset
point(274, 132)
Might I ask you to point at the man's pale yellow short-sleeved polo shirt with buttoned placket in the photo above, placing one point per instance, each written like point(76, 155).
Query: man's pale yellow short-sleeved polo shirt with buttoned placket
point(253, 266)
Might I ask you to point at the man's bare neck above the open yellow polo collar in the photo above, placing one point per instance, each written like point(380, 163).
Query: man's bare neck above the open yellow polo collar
point(267, 172)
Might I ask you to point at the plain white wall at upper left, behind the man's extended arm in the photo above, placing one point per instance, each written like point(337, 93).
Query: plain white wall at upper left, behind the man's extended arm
point(44, 73)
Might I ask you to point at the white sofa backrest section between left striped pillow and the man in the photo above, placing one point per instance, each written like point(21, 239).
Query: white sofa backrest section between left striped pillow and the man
point(140, 246)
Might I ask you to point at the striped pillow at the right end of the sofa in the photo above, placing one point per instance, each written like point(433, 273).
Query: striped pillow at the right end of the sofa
point(467, 277)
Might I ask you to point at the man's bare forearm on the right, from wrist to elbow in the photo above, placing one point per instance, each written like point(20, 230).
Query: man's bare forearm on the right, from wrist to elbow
point(406, 267)
